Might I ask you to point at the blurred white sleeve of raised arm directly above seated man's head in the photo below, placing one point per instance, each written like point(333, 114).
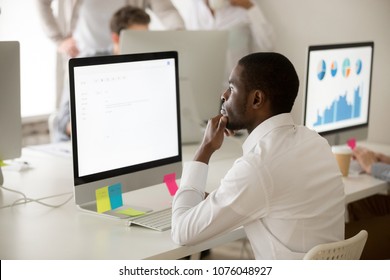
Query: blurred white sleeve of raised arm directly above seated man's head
point(262, 31)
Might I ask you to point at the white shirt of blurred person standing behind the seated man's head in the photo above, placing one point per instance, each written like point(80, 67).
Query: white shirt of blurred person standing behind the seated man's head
point(249, 30)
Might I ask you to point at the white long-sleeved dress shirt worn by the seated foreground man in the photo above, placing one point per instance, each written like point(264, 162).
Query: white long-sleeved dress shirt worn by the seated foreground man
point(286, 190)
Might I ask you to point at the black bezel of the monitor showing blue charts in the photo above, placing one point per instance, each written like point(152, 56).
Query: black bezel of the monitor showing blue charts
point(332, 47)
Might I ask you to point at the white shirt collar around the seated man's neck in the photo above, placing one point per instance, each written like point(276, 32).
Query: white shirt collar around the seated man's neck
point(264, 128)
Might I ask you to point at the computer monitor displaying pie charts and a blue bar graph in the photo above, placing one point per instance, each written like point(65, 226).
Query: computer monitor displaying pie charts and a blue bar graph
point(338, 89)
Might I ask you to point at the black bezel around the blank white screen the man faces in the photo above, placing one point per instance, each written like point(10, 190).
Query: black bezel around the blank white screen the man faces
point(100, 60)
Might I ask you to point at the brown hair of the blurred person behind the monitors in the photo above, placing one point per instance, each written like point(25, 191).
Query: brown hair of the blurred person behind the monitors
point(126, 16)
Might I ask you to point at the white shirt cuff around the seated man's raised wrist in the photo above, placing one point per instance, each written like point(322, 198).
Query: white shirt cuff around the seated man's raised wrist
point(194, 175)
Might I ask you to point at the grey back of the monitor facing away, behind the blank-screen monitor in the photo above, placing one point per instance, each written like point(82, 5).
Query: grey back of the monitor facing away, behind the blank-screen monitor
point(202, 60)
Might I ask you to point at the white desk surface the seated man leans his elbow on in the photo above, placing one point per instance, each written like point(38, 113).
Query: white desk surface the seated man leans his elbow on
point(33, 231)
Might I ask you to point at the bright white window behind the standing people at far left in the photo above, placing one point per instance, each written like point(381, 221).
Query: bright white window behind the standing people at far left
point(19, 21)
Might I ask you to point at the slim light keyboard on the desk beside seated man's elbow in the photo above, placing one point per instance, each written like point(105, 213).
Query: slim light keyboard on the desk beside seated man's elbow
point(156, 220)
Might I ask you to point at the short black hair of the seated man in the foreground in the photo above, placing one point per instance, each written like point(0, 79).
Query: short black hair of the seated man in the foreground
point(273, 74)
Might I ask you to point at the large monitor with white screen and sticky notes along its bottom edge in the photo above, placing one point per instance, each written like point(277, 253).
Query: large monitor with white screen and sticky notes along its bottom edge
point(125, 120)
